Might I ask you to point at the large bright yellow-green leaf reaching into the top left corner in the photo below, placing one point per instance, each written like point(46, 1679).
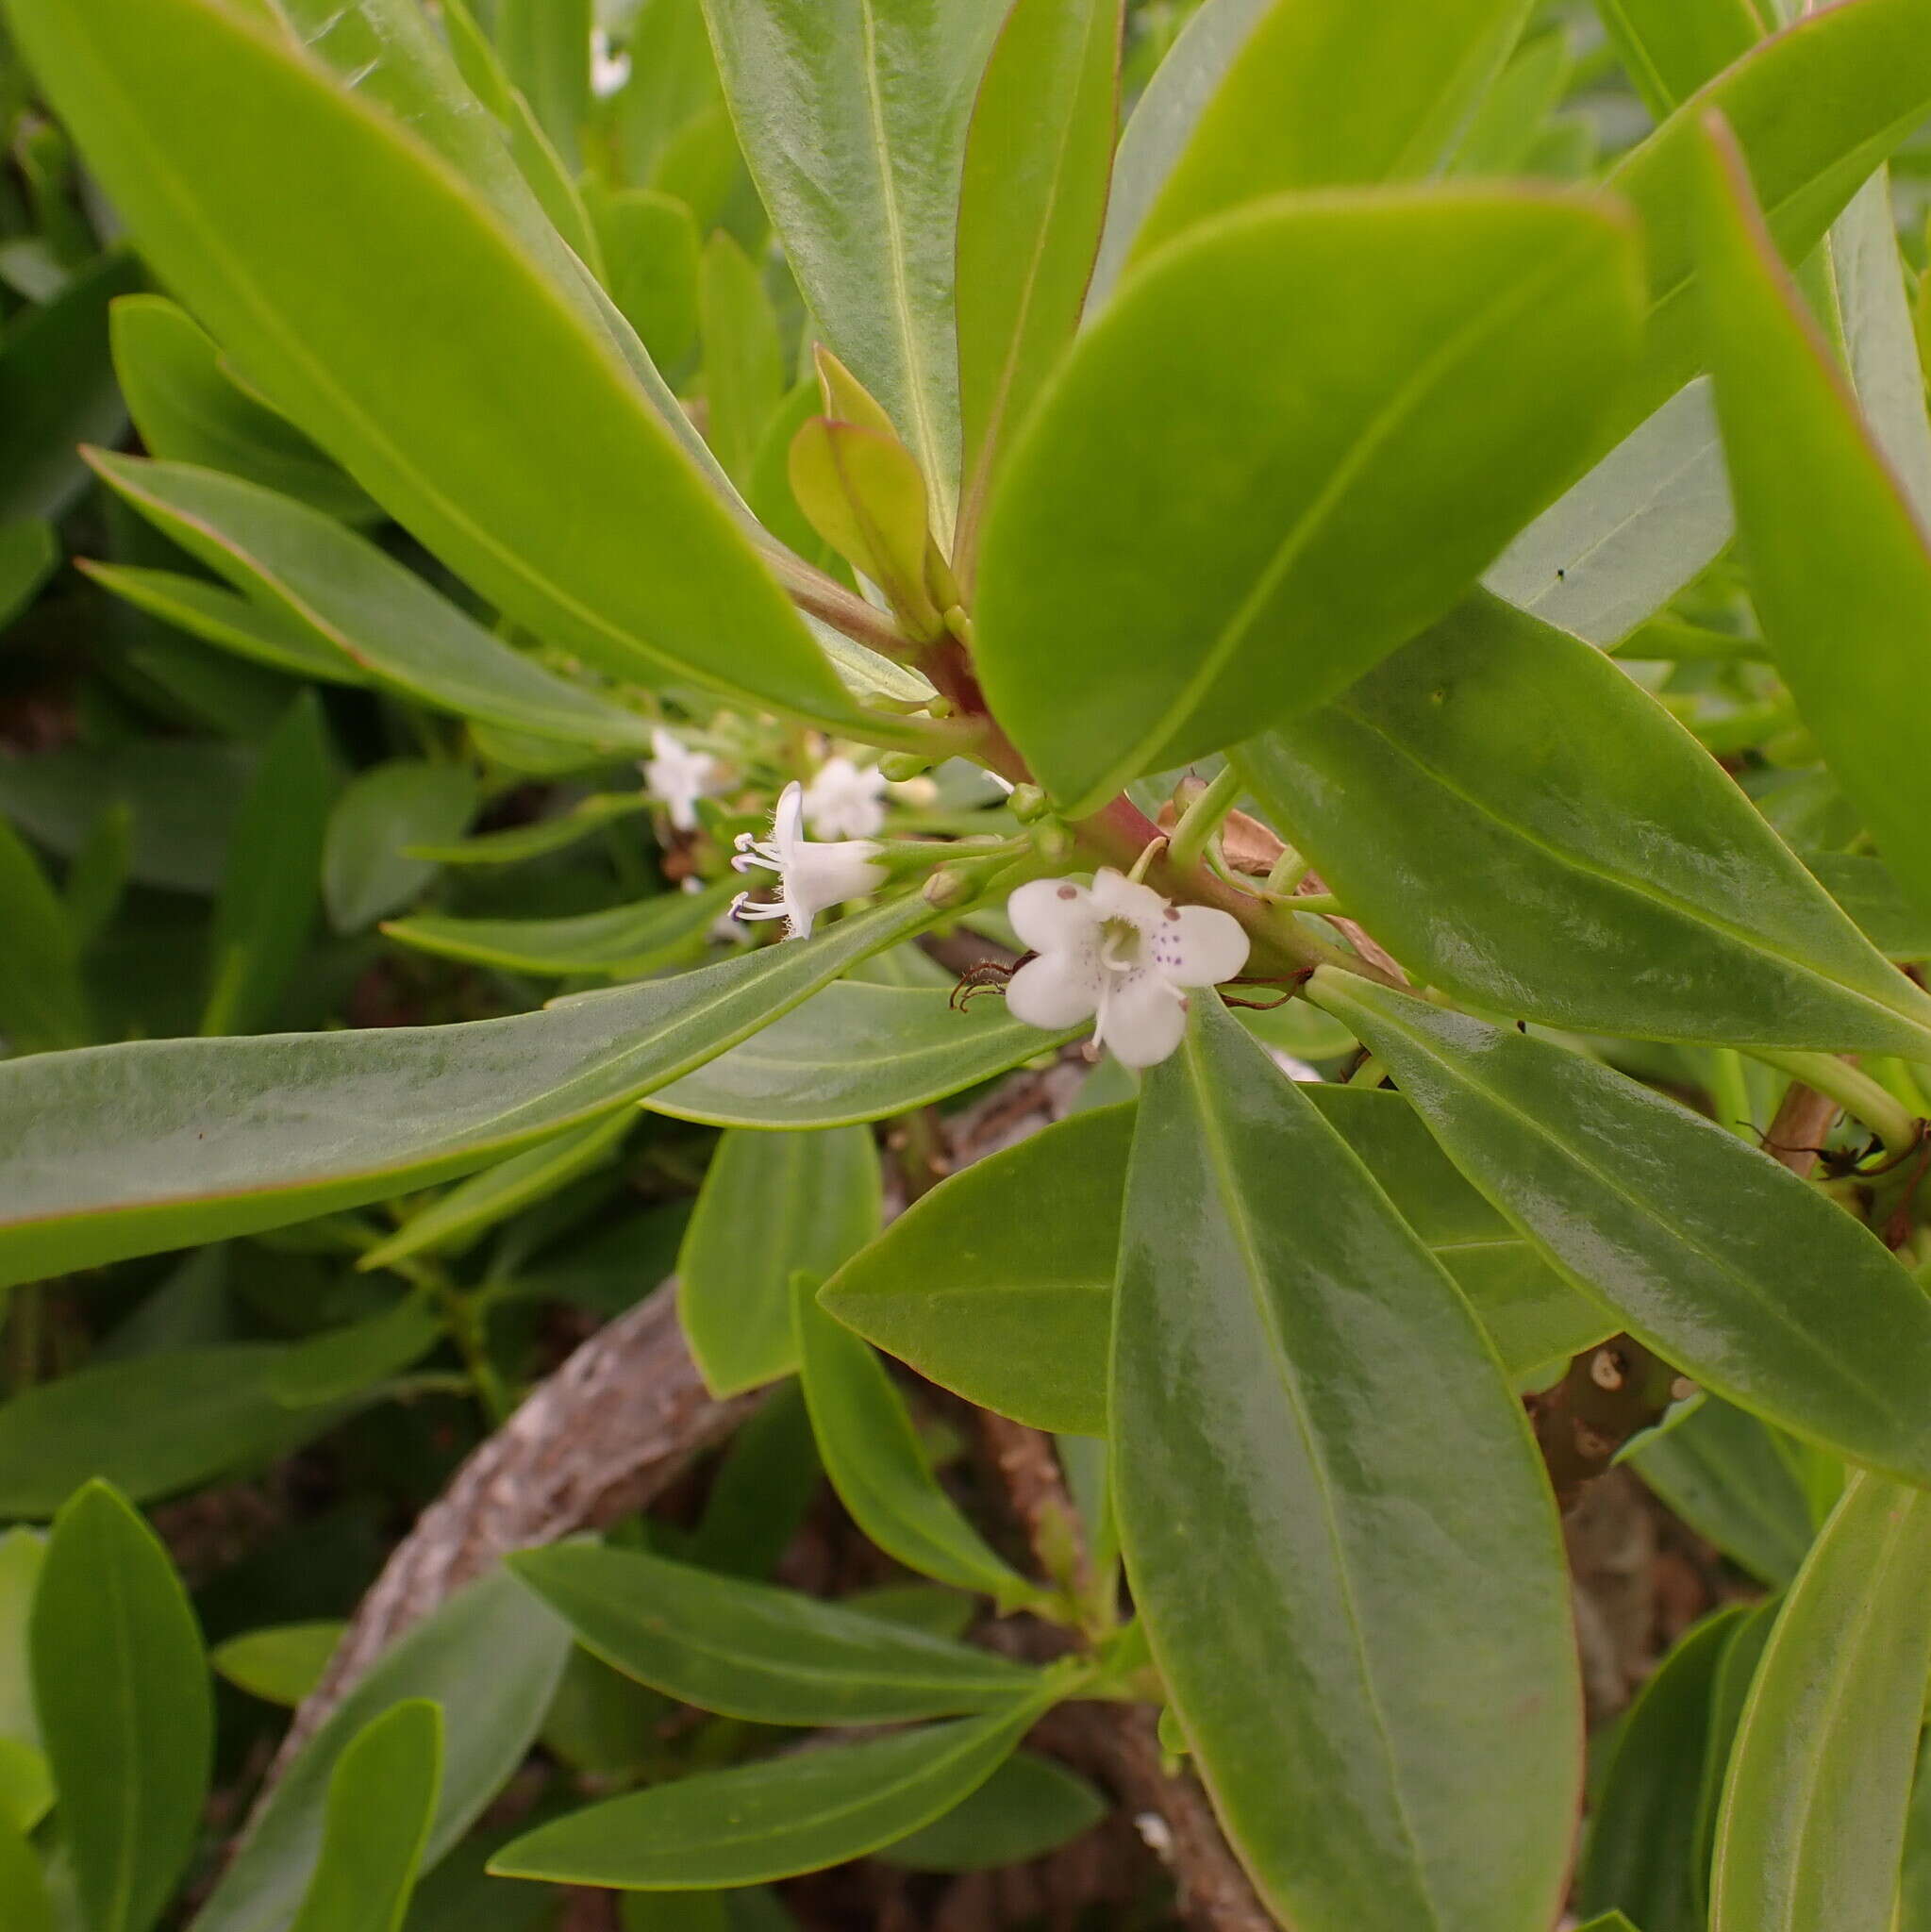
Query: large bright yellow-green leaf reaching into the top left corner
point(379, 302)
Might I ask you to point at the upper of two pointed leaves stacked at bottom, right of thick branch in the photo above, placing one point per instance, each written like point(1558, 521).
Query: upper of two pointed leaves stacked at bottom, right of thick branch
point(764, 1655)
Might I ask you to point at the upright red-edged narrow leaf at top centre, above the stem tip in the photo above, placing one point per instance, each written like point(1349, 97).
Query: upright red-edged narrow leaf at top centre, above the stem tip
point(1032, 204)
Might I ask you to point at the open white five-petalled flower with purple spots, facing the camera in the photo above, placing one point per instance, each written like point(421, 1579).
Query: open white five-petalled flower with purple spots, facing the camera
point(1121, 955)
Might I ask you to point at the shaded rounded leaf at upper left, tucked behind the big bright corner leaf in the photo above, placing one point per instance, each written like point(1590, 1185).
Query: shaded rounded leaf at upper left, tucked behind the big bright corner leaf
point(190, 412)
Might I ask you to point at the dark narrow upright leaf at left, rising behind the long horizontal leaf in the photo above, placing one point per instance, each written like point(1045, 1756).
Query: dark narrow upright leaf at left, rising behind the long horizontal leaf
point(271, 884)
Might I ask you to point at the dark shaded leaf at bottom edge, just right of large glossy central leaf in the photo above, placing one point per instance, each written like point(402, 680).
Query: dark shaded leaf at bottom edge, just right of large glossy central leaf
point(1644, 1842)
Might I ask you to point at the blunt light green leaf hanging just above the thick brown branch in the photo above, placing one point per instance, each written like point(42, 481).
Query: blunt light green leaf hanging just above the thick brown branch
point(771, 1205)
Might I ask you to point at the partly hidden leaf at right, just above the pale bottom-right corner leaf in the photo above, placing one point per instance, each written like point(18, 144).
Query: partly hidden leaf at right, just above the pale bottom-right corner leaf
point(1721, 1471)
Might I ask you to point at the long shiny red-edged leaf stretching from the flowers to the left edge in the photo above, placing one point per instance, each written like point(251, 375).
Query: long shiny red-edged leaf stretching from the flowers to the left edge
point(157, 1145)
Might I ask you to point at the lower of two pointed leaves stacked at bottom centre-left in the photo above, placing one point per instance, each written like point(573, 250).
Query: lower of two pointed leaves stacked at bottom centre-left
point(773, 1819)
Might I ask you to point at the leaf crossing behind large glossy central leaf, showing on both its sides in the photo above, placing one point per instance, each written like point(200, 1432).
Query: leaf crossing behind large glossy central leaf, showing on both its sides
point(999, 1284)
